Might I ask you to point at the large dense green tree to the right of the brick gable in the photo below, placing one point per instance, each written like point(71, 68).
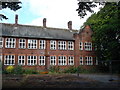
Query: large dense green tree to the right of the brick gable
point(106, 36)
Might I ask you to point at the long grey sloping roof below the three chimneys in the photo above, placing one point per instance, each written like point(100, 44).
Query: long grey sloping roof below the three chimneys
point(36, 32)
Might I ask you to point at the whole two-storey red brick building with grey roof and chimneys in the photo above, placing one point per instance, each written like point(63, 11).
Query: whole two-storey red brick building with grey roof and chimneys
point(41, 47)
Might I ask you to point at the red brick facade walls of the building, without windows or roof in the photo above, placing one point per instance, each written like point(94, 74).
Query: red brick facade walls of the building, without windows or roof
point(83, 36)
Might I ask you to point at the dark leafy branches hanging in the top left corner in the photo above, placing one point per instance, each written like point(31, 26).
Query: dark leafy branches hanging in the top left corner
point(12, 5)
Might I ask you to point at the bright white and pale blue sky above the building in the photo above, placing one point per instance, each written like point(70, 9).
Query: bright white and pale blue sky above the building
point(57, 13)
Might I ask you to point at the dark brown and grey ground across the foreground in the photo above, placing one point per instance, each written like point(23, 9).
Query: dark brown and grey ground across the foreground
point(62, 81)
